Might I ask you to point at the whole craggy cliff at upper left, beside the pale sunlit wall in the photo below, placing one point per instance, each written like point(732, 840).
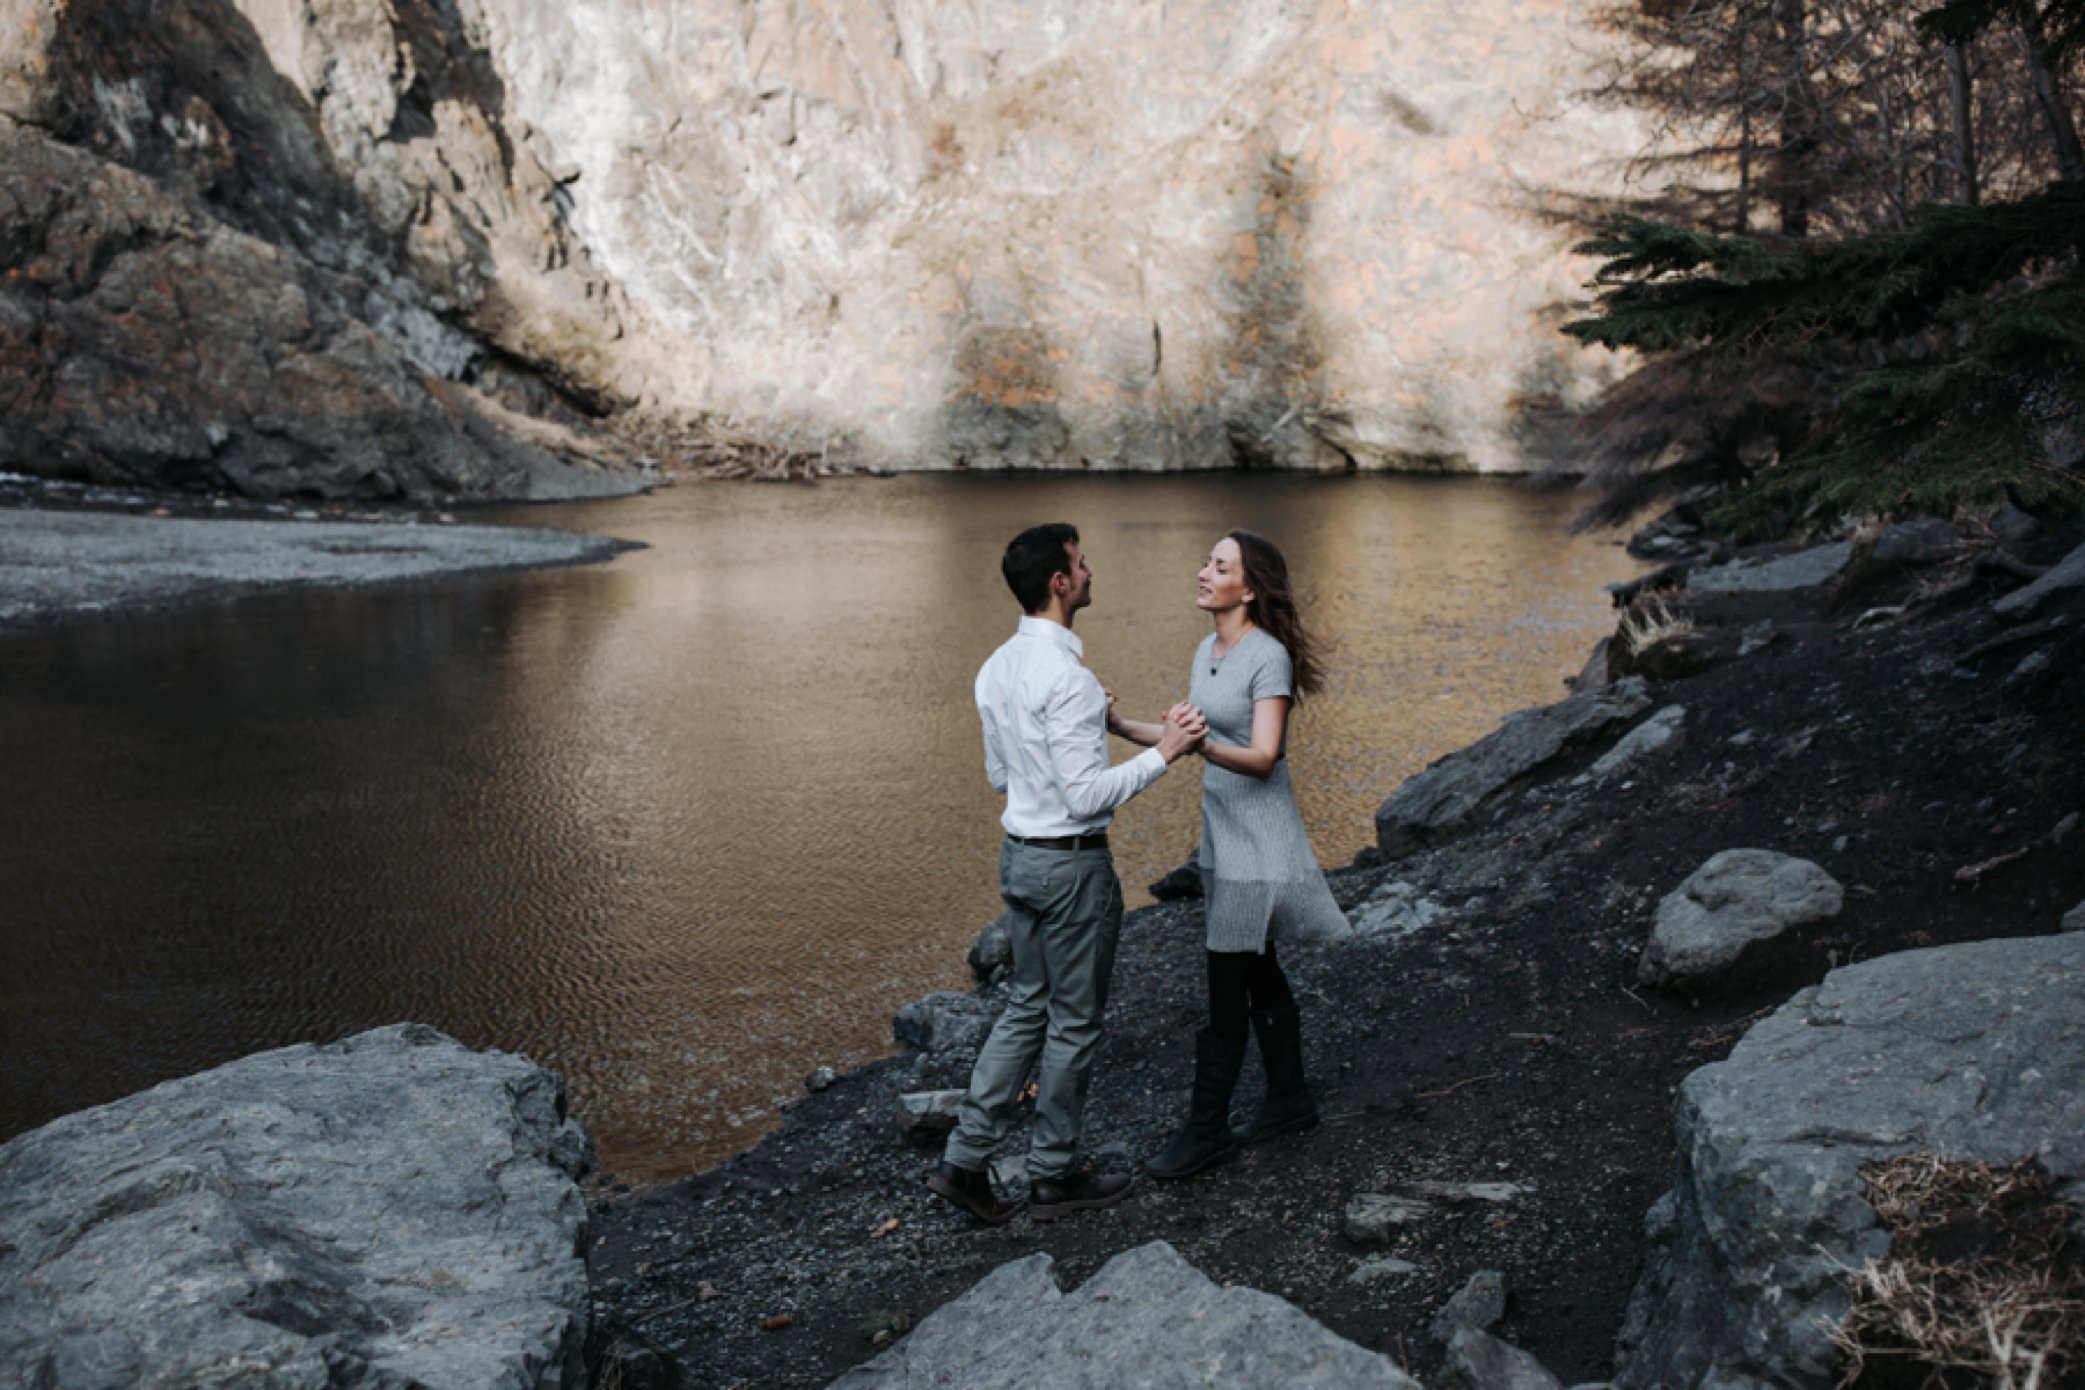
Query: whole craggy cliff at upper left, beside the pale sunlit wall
point(287, 251)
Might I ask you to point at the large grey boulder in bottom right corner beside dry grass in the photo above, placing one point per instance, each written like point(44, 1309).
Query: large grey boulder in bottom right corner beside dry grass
point(1969, 1051)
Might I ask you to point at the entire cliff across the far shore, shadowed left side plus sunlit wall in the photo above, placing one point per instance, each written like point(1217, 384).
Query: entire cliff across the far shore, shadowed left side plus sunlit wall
point(1039, 234)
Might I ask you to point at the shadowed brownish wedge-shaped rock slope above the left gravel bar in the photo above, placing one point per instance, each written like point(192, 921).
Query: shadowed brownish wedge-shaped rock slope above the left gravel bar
point(151, 345)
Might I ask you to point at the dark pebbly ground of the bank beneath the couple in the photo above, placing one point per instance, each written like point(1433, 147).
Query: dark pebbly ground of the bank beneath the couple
point(1506, 1041)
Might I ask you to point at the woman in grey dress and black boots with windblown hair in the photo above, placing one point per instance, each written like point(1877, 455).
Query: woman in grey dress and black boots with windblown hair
point(1260, 876)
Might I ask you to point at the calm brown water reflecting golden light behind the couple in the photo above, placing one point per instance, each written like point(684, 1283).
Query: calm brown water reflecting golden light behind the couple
point(689, 824)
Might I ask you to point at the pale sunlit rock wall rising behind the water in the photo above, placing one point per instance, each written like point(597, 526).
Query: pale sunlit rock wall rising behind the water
point(1050, 234)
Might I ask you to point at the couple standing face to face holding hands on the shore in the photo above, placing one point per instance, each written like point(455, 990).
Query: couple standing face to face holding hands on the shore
point(1046, 749)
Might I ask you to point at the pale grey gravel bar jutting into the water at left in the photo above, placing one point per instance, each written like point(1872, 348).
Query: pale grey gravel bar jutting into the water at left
point(64, 564)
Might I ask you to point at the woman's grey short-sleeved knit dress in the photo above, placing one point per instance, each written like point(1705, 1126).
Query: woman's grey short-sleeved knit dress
point(1258, 872)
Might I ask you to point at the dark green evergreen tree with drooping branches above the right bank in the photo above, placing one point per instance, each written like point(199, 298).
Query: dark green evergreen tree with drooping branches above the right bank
point(1946, 351)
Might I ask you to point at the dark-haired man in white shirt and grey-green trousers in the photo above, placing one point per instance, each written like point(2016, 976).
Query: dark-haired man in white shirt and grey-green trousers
point(1046, 747)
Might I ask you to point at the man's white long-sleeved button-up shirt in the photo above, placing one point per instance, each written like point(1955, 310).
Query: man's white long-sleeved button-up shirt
point(1046, 737)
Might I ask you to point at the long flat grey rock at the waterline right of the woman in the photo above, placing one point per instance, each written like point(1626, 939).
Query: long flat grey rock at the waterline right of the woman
point(1458, 785)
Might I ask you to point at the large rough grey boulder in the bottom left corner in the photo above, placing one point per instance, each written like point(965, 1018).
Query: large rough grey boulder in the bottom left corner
point(385, 1212)
